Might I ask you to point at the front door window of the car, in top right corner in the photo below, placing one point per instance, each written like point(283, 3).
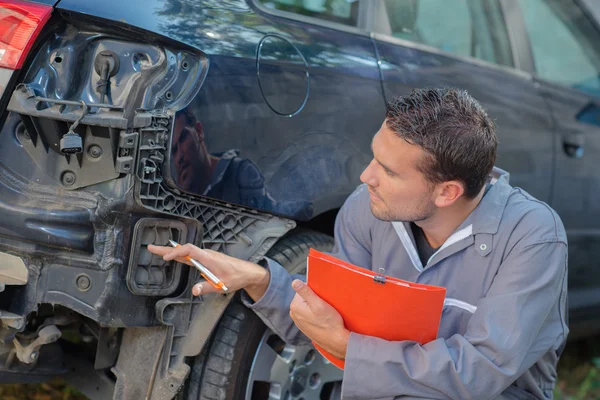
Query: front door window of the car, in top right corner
point(565, 44)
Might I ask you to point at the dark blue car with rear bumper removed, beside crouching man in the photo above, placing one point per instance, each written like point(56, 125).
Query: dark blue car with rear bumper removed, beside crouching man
point(242, 126)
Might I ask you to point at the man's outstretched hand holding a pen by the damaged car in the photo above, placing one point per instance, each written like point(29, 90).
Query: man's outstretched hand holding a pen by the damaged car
point(234, 273)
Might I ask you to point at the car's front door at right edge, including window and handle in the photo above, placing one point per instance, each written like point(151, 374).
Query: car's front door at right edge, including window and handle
point(565, 44)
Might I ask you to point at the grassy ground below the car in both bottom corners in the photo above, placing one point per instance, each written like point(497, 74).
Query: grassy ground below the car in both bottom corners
point(578, 372)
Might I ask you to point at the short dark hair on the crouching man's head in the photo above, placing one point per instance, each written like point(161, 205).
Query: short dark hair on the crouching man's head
point(453, 129)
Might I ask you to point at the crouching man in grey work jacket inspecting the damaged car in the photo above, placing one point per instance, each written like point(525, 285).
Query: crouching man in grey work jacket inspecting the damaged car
point(429, 213)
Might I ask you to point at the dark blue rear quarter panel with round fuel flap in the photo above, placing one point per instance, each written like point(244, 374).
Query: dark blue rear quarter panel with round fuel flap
point(287, 109)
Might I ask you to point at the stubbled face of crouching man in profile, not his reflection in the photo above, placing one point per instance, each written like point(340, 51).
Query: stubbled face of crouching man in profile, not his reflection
point(399, 192)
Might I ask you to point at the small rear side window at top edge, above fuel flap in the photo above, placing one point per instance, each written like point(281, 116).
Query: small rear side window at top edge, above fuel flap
point(340, 11)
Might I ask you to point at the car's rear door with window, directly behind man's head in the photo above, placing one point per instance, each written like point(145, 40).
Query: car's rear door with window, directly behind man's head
point(467, 44)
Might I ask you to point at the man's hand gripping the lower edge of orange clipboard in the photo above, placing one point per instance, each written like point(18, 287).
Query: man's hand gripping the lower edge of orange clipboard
point(318, 320)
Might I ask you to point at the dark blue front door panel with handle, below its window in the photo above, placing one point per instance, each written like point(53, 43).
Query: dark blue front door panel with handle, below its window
point(577, 182)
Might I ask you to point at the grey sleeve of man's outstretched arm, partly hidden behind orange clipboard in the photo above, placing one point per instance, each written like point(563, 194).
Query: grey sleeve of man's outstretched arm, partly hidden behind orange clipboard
point(351, 243)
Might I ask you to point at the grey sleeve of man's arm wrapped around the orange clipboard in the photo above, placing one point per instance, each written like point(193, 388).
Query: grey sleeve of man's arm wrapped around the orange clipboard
point(520, 319)
